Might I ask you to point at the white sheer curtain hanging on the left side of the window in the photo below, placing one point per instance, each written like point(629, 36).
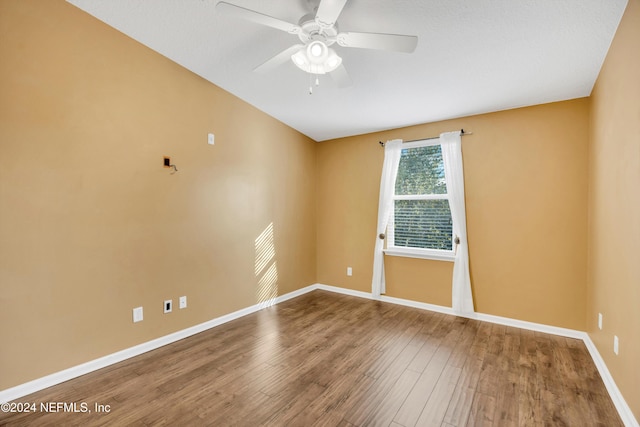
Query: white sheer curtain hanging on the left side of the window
point(392, 150)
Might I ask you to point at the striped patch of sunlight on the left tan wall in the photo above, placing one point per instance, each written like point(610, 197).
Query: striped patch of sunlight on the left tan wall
point(266, 268)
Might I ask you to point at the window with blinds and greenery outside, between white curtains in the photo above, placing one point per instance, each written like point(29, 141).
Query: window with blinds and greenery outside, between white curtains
point(421, 224)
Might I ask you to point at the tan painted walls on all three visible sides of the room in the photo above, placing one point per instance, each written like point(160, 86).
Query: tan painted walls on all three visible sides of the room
point(91, 225)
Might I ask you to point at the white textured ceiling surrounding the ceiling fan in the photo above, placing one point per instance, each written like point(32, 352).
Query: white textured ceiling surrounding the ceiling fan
point(473, 56)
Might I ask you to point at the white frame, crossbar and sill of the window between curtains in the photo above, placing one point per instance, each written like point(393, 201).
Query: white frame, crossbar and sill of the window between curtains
point(433, 254)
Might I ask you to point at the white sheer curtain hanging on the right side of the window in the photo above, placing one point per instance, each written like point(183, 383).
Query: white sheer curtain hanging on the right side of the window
point(462, 298)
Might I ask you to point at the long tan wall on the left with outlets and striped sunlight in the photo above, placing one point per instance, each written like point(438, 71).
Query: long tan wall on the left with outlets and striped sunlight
point(92, 225)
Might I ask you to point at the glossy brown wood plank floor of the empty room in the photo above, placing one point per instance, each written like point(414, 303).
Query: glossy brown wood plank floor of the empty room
point(325, 359)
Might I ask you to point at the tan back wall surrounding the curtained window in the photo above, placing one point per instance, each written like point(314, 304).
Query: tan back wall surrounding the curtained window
point(526, 197)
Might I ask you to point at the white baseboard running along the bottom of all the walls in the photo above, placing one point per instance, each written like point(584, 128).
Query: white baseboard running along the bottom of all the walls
point(50, 380)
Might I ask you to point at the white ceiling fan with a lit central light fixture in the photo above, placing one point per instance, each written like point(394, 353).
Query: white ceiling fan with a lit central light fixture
point(318, 32)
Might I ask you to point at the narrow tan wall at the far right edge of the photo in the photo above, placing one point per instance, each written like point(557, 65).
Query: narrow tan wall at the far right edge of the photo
point(614, 208)
